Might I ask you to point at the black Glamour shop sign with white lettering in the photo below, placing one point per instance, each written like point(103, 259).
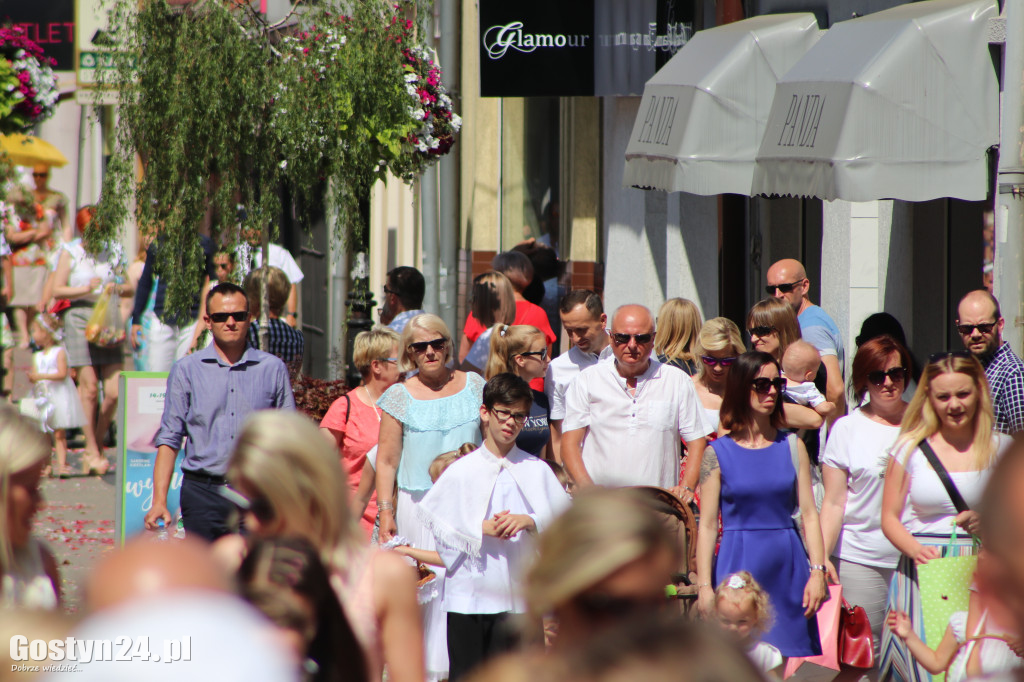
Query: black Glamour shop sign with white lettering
point(578, 48)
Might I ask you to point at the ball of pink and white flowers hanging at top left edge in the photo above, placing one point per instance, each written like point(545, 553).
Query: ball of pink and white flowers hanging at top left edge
point(28, 88)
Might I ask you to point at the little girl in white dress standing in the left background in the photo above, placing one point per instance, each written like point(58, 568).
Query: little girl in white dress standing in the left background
point(58, 402)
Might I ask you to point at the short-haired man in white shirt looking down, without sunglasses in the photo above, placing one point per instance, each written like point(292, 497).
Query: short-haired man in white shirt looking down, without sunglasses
point(583, 319)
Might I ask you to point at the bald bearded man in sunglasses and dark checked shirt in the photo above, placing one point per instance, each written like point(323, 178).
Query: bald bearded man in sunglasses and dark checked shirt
point(980, 326)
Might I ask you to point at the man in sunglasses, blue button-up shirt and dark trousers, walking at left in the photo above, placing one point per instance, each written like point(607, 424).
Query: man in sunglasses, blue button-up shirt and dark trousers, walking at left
point(209, 396)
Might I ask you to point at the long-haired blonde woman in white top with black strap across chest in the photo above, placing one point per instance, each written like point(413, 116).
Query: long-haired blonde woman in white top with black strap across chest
point(953, 412)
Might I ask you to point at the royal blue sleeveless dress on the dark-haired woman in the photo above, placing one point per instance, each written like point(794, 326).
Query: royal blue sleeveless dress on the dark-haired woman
point(759, 496)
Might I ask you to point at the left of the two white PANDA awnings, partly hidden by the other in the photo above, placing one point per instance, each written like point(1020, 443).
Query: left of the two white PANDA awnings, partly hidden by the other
point(704, 113)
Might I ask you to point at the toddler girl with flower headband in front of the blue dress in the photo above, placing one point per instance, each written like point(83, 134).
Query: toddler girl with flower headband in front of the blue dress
point(744, 610)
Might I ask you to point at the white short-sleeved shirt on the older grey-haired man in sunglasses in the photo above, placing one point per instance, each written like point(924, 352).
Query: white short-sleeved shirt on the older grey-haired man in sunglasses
point(634, 440)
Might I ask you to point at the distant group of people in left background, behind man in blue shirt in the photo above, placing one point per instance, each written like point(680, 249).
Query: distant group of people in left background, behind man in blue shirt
point(54, 286)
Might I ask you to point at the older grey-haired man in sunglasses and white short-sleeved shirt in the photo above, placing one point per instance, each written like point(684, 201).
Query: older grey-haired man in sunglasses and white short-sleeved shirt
point(624, 419)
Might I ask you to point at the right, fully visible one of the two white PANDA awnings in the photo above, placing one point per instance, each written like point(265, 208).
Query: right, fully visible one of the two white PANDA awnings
point(903, 104)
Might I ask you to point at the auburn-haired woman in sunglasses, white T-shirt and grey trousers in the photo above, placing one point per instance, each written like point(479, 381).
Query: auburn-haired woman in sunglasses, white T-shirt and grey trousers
point(854, 472)
